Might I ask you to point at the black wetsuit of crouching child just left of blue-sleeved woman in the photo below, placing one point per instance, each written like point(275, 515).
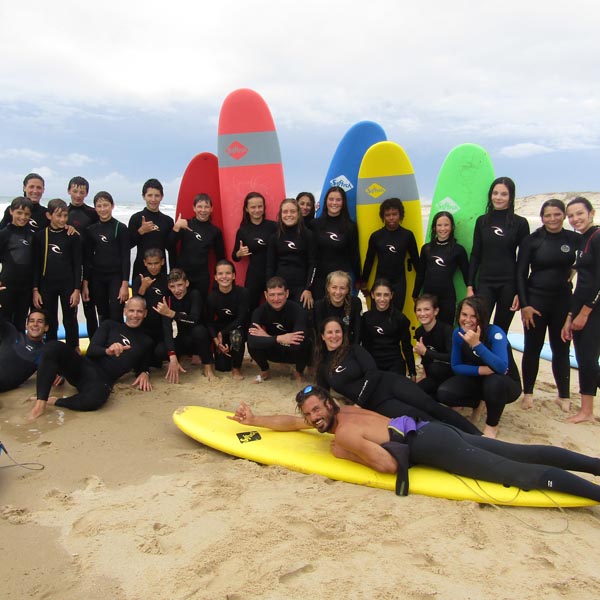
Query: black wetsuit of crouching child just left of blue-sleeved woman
point(436, 360)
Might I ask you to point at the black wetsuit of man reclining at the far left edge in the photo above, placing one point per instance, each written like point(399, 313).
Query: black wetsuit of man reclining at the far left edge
point(19, 356)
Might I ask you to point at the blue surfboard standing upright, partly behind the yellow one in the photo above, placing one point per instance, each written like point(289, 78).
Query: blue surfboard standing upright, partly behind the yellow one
point(343, 170)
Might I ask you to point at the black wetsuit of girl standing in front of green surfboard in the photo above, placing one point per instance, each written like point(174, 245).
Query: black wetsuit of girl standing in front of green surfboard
point(439, 262)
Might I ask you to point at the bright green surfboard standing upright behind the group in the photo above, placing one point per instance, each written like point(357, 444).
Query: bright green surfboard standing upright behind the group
point(461, 189)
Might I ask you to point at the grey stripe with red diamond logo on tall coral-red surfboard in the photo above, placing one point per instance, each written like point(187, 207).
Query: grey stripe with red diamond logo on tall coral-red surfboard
point(245, 149)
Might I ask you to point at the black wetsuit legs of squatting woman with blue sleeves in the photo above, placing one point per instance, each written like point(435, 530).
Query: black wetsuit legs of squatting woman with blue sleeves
point(495, 390)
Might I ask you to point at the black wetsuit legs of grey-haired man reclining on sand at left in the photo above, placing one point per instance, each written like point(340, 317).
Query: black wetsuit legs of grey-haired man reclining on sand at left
point(57, 357)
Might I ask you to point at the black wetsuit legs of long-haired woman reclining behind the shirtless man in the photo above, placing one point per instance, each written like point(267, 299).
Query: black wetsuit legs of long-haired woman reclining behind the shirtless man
point(396, 395)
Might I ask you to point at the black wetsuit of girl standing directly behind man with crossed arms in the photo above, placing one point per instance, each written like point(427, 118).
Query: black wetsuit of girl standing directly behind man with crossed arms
point(293, 257)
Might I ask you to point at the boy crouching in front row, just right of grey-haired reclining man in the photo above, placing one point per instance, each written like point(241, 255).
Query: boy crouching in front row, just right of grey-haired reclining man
point(184, 308)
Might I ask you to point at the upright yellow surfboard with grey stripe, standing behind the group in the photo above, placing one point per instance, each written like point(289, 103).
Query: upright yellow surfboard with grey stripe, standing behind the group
point(386, 172)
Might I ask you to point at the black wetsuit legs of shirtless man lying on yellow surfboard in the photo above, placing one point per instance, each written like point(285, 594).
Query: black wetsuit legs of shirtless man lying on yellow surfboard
point(530, 467)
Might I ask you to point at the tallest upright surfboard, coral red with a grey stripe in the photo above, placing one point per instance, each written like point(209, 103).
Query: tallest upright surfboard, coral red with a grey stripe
point(249, 161)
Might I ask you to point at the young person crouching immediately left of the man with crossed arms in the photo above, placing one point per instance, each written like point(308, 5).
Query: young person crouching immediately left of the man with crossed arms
point(227, 312)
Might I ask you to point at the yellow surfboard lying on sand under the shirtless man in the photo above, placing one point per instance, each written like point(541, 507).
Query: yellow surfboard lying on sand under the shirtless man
point(308, 452)
